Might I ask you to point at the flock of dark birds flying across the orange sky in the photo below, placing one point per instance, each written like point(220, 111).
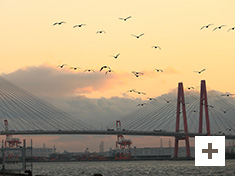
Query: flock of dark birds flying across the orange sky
point(107, 69)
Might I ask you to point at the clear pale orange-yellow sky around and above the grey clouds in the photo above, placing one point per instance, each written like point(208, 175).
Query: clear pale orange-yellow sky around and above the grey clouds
point(29, 39)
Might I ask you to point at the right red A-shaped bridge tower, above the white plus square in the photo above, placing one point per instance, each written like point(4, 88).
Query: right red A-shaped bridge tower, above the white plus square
point(204, 102)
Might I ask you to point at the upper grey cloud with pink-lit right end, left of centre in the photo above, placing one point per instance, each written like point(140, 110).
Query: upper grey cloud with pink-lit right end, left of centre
point(49, 81)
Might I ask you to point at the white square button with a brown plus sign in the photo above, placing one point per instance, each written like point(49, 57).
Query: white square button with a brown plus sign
point(209, 150)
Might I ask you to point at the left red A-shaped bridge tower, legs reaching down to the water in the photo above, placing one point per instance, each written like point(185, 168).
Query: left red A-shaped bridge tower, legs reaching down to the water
point(181, 101)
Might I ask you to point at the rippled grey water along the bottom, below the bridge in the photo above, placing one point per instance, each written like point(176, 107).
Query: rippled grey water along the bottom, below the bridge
point(132, 168)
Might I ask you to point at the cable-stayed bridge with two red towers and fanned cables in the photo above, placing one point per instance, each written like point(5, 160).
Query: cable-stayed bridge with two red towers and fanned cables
point(185, 115)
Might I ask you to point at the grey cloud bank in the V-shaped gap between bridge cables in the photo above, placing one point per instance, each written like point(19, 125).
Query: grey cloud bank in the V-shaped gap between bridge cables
point(98, 112)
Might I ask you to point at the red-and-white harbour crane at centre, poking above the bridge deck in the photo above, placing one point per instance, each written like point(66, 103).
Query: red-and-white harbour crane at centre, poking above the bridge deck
point(122, 145)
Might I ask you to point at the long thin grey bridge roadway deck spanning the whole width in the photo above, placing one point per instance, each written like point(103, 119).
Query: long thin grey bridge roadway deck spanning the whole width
point(109, 132)
